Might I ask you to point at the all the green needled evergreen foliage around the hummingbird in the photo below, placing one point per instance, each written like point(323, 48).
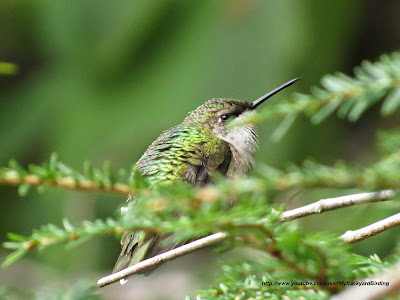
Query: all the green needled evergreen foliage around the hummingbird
point(283, 252)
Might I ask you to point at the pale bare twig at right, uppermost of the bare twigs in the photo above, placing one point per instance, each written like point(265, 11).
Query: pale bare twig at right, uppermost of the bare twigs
point(334, 203)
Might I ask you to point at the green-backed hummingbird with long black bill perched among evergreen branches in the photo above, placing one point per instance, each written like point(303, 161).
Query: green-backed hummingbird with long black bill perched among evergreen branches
point(202, 144)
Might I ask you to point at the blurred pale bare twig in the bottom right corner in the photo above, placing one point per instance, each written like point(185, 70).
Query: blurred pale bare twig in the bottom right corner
point(374, 287)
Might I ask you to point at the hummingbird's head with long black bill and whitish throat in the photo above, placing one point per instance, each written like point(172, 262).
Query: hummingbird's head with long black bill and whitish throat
point(219, 114)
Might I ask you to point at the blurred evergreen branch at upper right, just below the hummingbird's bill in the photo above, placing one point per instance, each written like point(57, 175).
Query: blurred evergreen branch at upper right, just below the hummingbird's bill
point(349, 96)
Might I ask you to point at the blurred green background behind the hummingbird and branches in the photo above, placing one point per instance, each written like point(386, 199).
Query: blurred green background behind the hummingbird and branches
point(100, 80)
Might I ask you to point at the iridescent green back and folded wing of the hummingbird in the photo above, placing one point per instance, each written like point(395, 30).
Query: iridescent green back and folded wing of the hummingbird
point(184, 152)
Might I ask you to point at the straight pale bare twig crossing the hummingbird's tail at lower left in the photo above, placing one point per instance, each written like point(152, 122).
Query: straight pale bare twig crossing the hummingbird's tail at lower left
point(143, 265)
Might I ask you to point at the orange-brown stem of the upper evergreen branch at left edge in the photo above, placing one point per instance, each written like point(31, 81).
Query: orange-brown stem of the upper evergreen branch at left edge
point(13, 178)
